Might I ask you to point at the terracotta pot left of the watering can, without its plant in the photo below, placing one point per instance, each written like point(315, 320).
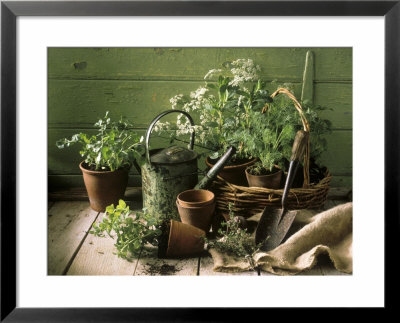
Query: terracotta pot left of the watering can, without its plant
point(104, 187)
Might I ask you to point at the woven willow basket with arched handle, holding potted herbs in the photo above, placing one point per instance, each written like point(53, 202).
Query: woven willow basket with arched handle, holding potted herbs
point(247, 201)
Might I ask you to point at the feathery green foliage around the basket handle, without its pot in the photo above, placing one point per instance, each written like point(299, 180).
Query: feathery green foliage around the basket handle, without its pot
point(271, 132)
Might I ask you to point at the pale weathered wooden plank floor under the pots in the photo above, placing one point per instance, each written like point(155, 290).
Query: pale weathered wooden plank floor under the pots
point(73, 251)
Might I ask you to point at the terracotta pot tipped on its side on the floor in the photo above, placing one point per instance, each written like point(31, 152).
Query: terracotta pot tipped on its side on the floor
point(184, 240)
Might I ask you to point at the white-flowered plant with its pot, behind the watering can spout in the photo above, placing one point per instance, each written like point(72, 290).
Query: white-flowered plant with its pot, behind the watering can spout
point(222, 105)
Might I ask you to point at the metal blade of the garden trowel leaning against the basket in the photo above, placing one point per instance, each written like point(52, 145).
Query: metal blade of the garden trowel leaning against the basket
point(272, 229)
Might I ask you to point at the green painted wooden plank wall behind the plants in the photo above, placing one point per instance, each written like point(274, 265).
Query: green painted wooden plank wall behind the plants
point(83, 83)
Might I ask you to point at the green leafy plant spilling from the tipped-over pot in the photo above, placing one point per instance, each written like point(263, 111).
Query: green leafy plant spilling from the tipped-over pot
point(132, 230)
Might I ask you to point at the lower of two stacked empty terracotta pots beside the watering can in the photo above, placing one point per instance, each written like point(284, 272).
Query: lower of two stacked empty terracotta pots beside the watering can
point(199, 217)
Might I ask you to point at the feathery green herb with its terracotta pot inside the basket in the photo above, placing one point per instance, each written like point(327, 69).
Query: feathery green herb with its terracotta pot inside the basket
point(271, 135)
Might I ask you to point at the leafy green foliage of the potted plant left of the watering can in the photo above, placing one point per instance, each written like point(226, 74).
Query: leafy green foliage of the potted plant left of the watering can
point(114, 146)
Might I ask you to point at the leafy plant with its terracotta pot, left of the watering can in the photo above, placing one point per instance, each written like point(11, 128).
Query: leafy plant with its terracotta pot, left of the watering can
point(109, 155)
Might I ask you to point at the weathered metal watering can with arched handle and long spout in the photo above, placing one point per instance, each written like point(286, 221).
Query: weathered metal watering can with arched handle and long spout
point(170, 171)
